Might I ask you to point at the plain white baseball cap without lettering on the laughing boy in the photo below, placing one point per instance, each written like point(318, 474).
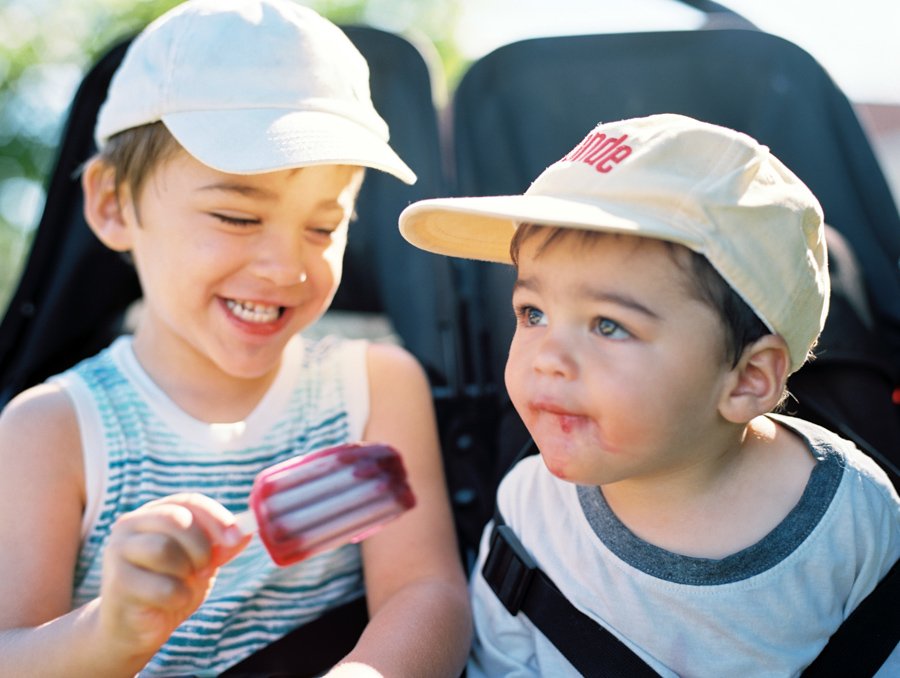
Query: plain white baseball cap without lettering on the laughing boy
point(249, 86)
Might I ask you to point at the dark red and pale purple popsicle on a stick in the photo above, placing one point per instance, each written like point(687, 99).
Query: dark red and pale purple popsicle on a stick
point(322, 500)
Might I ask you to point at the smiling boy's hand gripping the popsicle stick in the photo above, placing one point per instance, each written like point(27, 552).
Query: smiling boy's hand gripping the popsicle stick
point(159, 565)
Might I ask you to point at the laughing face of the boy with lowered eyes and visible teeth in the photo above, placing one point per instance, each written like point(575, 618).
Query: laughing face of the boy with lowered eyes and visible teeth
point(232, 266)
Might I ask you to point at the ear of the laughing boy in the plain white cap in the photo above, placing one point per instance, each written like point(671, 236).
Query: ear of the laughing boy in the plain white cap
point(103, 210)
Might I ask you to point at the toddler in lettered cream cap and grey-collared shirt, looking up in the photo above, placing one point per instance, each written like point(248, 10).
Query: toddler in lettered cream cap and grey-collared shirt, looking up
point(671, 274)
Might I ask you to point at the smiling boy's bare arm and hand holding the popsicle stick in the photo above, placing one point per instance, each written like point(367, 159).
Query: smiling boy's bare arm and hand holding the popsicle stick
point(156, 566)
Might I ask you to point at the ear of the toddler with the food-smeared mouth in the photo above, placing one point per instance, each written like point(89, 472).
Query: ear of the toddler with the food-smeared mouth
point(756, 384)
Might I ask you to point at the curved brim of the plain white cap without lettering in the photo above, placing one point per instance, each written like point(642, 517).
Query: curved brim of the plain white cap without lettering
point(265, 140)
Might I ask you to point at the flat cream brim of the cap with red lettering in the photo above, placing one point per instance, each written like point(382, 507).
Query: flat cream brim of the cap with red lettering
point(482, 228)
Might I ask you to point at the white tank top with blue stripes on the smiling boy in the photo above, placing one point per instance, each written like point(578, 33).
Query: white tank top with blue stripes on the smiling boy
point(139, 446)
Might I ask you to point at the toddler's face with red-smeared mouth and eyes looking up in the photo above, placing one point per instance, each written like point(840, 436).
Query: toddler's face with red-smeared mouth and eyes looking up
point(616, 366)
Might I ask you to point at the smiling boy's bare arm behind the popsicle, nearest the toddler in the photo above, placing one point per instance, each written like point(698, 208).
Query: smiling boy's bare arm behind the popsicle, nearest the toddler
point(416, 588)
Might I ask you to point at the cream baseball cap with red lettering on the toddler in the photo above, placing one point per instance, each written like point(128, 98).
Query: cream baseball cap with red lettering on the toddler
point(709, 188)
